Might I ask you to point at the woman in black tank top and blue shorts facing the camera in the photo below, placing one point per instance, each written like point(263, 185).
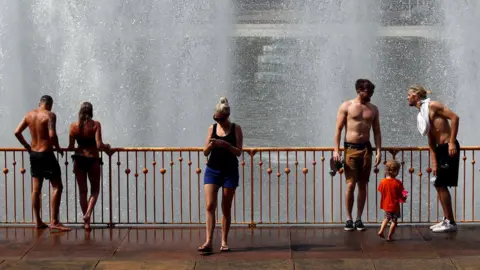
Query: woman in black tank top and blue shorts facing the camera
point(224, 146)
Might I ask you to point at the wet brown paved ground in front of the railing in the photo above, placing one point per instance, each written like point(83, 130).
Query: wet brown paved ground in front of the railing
point(260, 248)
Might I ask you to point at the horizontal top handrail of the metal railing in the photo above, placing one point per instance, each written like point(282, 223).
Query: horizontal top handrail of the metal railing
point(254, 149)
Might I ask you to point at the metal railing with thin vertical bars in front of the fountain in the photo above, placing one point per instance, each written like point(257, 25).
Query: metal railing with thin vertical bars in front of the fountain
point(277, 186)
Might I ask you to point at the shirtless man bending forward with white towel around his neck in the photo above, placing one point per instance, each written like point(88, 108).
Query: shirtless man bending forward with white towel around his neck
point(444, 150)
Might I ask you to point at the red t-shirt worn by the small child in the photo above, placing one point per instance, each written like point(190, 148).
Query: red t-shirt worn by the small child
point(391, 190)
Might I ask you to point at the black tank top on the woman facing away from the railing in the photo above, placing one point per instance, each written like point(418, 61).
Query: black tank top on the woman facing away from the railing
point(221, 158)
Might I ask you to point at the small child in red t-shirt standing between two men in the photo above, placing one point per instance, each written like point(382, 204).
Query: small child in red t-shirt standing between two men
point(392, 195)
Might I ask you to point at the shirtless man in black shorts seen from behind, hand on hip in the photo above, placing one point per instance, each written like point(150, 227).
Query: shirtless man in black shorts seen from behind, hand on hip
point(43, 164)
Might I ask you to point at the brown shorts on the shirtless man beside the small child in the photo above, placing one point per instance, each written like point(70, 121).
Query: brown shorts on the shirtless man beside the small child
point(358, 161)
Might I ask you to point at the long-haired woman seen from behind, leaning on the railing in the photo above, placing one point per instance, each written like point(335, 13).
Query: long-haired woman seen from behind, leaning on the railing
point(86, 160)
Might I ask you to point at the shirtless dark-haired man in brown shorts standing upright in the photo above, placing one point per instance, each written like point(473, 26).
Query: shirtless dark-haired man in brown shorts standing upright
point(358, 116)
